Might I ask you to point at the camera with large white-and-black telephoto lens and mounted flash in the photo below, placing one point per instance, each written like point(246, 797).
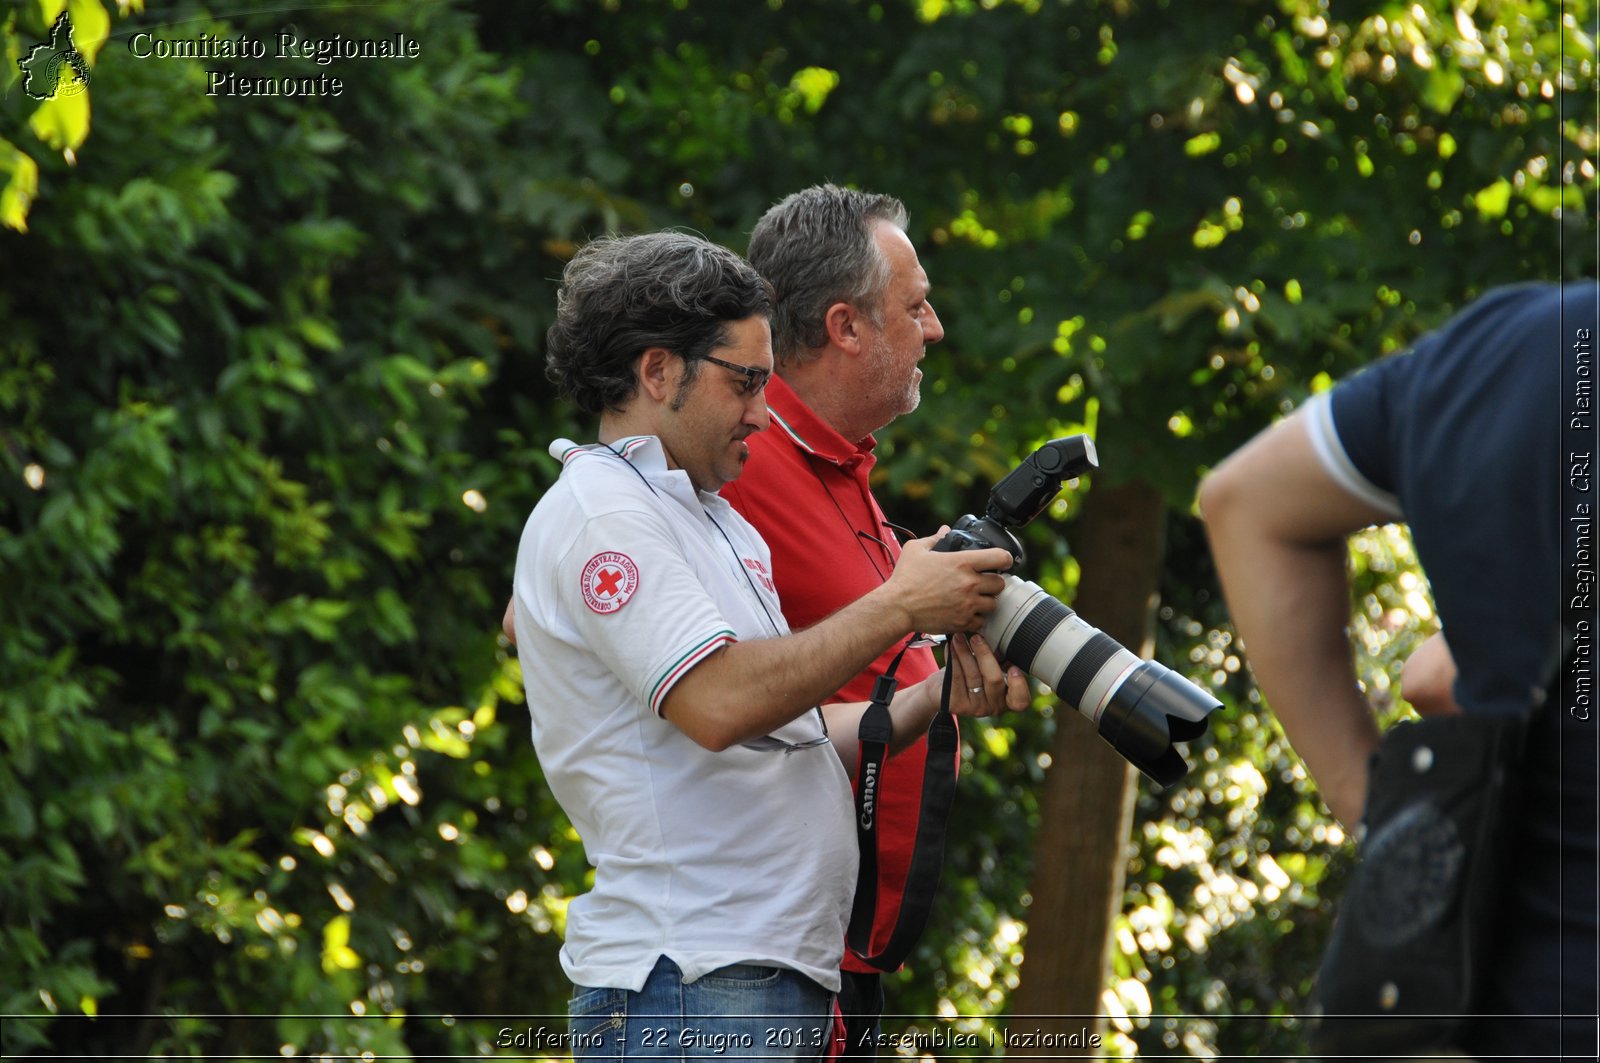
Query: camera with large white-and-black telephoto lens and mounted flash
point(1142, 708)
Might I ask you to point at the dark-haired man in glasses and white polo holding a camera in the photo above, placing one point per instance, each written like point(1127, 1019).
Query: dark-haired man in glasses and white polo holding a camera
point(673, 710)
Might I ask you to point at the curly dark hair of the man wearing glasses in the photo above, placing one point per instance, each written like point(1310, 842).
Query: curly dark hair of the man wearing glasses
point(623, 295)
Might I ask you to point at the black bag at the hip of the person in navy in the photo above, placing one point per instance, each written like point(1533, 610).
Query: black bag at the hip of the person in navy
point(1406, 963)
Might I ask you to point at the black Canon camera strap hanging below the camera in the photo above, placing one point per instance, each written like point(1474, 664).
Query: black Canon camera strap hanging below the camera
point(938, 795)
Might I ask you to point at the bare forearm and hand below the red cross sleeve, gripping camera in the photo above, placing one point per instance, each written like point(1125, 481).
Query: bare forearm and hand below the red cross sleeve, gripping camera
point(751, 689)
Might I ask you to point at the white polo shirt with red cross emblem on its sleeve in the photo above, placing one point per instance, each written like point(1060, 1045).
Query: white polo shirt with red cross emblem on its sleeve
point(626, 580)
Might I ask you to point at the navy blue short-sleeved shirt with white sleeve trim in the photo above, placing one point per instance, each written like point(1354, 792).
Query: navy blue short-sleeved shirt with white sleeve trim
point(1462, 439)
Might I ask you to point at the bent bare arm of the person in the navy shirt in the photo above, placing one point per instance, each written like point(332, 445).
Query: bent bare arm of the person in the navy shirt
point(1278, 526)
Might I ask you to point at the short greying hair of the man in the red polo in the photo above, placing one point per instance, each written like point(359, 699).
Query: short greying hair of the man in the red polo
point(817, 249)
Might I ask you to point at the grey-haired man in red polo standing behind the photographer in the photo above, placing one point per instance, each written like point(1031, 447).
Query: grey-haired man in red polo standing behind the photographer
point(852, 321)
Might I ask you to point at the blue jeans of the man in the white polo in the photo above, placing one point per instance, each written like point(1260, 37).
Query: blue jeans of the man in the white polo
point(740, 1013)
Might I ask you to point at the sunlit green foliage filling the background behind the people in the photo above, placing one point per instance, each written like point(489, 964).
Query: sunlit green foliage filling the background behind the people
point(273, 415)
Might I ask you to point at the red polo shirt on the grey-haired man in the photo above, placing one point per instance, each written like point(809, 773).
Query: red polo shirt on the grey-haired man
point(806, 491)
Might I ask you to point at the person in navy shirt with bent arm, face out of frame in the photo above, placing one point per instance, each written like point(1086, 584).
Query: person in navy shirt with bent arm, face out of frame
point(1462, 439)
